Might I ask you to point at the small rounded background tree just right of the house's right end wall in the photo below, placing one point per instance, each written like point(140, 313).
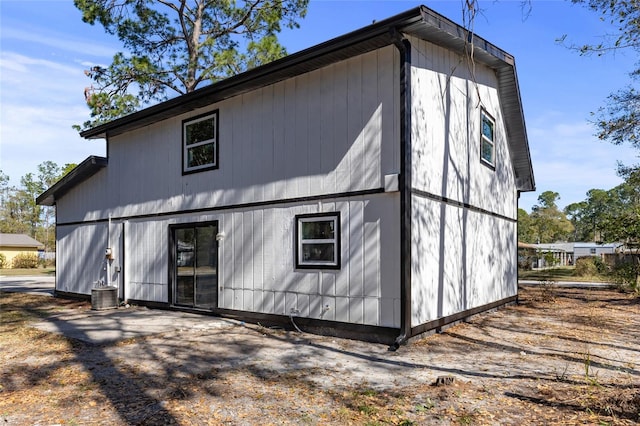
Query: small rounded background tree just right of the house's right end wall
point(549, 223)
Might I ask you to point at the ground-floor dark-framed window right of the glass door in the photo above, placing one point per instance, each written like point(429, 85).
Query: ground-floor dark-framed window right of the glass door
point(318, 241)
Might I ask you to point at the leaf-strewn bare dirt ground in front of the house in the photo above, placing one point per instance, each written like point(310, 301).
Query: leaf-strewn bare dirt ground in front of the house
point(562, 356)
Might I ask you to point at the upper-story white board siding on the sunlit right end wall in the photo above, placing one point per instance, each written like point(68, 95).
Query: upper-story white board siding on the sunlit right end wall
point(447, 99)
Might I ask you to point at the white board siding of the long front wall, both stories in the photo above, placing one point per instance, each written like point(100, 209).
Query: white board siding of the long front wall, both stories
point(329, 131)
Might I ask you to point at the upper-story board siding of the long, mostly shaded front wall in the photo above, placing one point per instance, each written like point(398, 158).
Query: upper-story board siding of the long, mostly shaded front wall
point(328, 131)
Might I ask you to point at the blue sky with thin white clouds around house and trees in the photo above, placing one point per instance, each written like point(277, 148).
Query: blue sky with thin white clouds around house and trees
point(45, 48)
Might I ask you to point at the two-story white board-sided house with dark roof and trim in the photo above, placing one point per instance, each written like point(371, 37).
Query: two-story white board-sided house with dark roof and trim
point(365, 187)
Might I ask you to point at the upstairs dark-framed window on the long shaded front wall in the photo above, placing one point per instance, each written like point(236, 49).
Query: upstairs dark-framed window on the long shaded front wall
point(200, 143)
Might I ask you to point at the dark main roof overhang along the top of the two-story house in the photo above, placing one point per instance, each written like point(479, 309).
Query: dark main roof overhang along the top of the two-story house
point(421, 22)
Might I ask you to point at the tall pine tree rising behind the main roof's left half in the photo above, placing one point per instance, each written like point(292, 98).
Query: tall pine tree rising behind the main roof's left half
point(174, 46)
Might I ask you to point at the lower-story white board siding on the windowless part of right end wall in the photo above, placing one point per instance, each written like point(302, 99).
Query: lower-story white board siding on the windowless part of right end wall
point(462, 260)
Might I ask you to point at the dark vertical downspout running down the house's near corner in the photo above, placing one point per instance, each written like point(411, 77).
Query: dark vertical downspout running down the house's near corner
point(404, 47)
